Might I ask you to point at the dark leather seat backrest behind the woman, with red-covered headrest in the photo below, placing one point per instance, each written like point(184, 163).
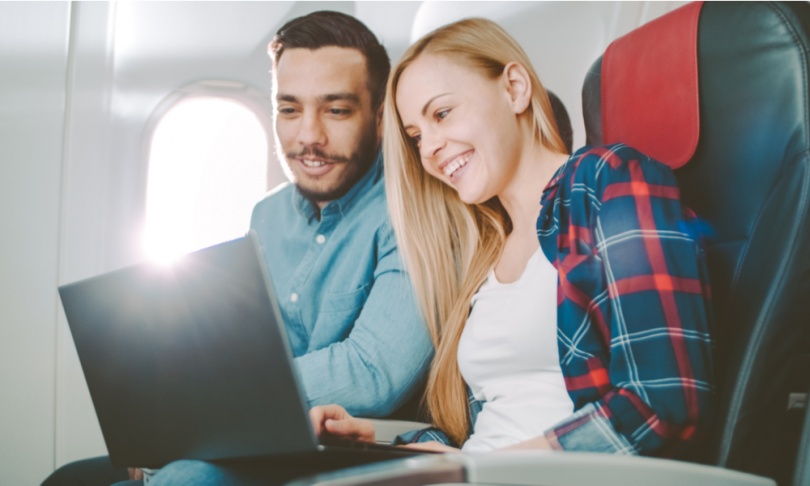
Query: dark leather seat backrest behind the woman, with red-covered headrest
point(748, 180)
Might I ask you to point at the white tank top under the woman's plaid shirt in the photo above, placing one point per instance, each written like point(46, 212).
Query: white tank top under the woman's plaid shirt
point(508, 356)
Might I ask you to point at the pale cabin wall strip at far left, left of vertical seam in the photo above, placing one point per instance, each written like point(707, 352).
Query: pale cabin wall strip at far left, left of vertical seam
point(33, 62)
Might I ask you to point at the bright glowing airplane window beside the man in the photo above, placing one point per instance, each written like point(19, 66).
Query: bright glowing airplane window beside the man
point(207, 168)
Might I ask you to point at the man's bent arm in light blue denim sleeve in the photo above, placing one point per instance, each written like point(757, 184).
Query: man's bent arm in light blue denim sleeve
point(387, 352)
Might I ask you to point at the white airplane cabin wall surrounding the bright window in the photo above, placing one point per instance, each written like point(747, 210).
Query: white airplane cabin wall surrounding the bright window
point(81, 87)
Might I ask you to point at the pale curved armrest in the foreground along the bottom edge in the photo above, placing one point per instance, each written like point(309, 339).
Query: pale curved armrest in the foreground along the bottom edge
point(536, 468)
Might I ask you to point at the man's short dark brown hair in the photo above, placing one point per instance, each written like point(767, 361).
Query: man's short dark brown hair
point(326, 28)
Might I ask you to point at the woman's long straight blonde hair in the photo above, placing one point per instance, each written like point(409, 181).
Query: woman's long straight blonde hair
point(449, 246)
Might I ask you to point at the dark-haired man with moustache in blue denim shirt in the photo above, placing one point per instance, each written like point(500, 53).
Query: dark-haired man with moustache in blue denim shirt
point(352, 320)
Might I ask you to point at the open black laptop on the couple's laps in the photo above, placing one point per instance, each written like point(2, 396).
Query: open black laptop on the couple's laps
point(191, 361)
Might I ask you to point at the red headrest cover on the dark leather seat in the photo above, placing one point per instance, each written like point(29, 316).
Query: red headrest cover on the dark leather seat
point(650, 87)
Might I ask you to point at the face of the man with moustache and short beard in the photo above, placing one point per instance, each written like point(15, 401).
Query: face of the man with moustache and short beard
point(325, 124)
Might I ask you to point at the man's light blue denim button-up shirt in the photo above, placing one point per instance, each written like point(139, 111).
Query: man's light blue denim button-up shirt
point(351, 316)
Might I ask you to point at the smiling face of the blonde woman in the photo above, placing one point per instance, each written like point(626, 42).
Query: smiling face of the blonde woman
point(463, 124)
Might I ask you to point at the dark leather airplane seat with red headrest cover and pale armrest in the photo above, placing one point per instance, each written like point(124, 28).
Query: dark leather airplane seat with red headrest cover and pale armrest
point(719, 91)
